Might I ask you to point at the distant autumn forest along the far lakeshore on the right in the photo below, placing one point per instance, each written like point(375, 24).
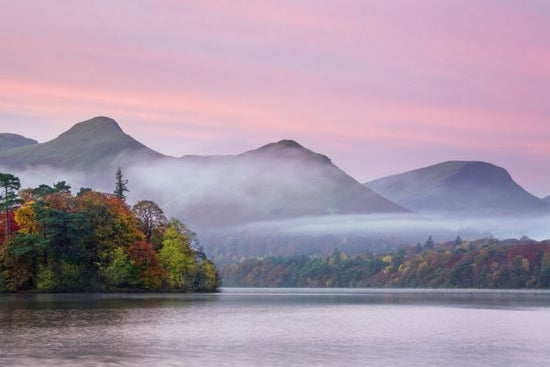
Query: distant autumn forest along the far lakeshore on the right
point(485, 263)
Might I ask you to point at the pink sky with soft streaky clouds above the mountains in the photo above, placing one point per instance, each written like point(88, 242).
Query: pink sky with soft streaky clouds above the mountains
point(378, 86)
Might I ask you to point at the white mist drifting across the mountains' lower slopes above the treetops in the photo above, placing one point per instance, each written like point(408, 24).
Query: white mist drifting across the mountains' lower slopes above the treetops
point(263, 204)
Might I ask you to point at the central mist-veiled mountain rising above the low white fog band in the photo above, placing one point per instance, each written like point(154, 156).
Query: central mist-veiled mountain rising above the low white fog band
point(277, 181)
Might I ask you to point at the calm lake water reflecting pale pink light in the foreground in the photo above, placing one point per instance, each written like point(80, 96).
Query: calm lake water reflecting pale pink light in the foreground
point(262, 327)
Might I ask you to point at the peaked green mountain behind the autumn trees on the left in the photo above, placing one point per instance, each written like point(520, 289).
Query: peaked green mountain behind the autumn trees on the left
point(98, 143)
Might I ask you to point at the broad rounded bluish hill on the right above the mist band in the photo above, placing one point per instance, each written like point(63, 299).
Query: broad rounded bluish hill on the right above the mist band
point(460, 189)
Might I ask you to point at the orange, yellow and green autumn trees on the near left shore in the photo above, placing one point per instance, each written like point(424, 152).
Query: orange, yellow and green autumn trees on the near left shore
point(54, 241)
